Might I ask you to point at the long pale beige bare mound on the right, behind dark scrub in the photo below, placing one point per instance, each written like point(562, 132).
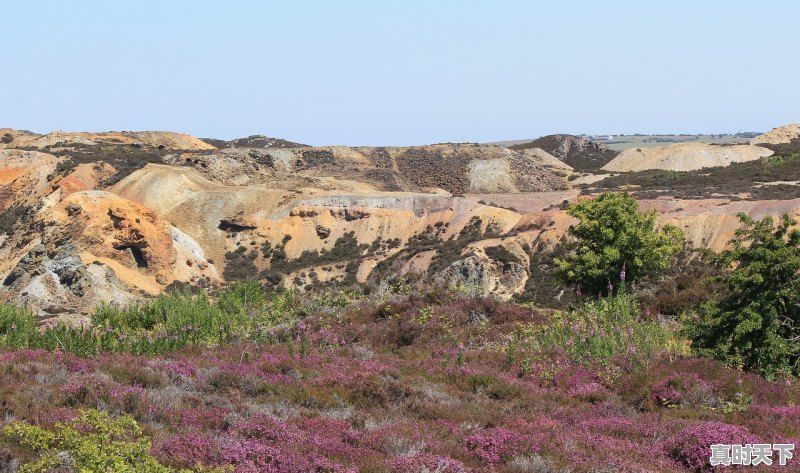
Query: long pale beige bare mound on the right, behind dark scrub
point(684, 157)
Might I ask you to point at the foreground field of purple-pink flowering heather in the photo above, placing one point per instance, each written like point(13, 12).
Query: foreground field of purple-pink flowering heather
point(438, 382)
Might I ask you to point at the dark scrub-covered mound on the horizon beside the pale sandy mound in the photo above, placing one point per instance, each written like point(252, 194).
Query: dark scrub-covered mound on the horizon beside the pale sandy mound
point(577, 152)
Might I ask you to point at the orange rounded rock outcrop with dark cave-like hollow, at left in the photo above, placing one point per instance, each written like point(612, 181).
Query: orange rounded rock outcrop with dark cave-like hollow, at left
point(94, 247)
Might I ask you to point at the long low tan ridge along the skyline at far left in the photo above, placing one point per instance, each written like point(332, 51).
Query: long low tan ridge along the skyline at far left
point(157, 139)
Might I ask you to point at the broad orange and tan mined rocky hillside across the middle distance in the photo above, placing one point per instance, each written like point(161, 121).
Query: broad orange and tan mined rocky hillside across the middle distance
point(86, 220)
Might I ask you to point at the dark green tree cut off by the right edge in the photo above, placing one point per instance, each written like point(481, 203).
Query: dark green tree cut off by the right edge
point(755, 322)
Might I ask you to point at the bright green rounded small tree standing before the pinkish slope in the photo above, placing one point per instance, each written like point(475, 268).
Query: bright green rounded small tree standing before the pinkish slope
point(612, 236)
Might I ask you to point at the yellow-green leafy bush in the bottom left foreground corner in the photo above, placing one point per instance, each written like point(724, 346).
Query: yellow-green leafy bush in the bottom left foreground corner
point(93, 441)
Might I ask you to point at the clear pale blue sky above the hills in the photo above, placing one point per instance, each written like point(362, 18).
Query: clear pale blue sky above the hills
point(388, 72)
